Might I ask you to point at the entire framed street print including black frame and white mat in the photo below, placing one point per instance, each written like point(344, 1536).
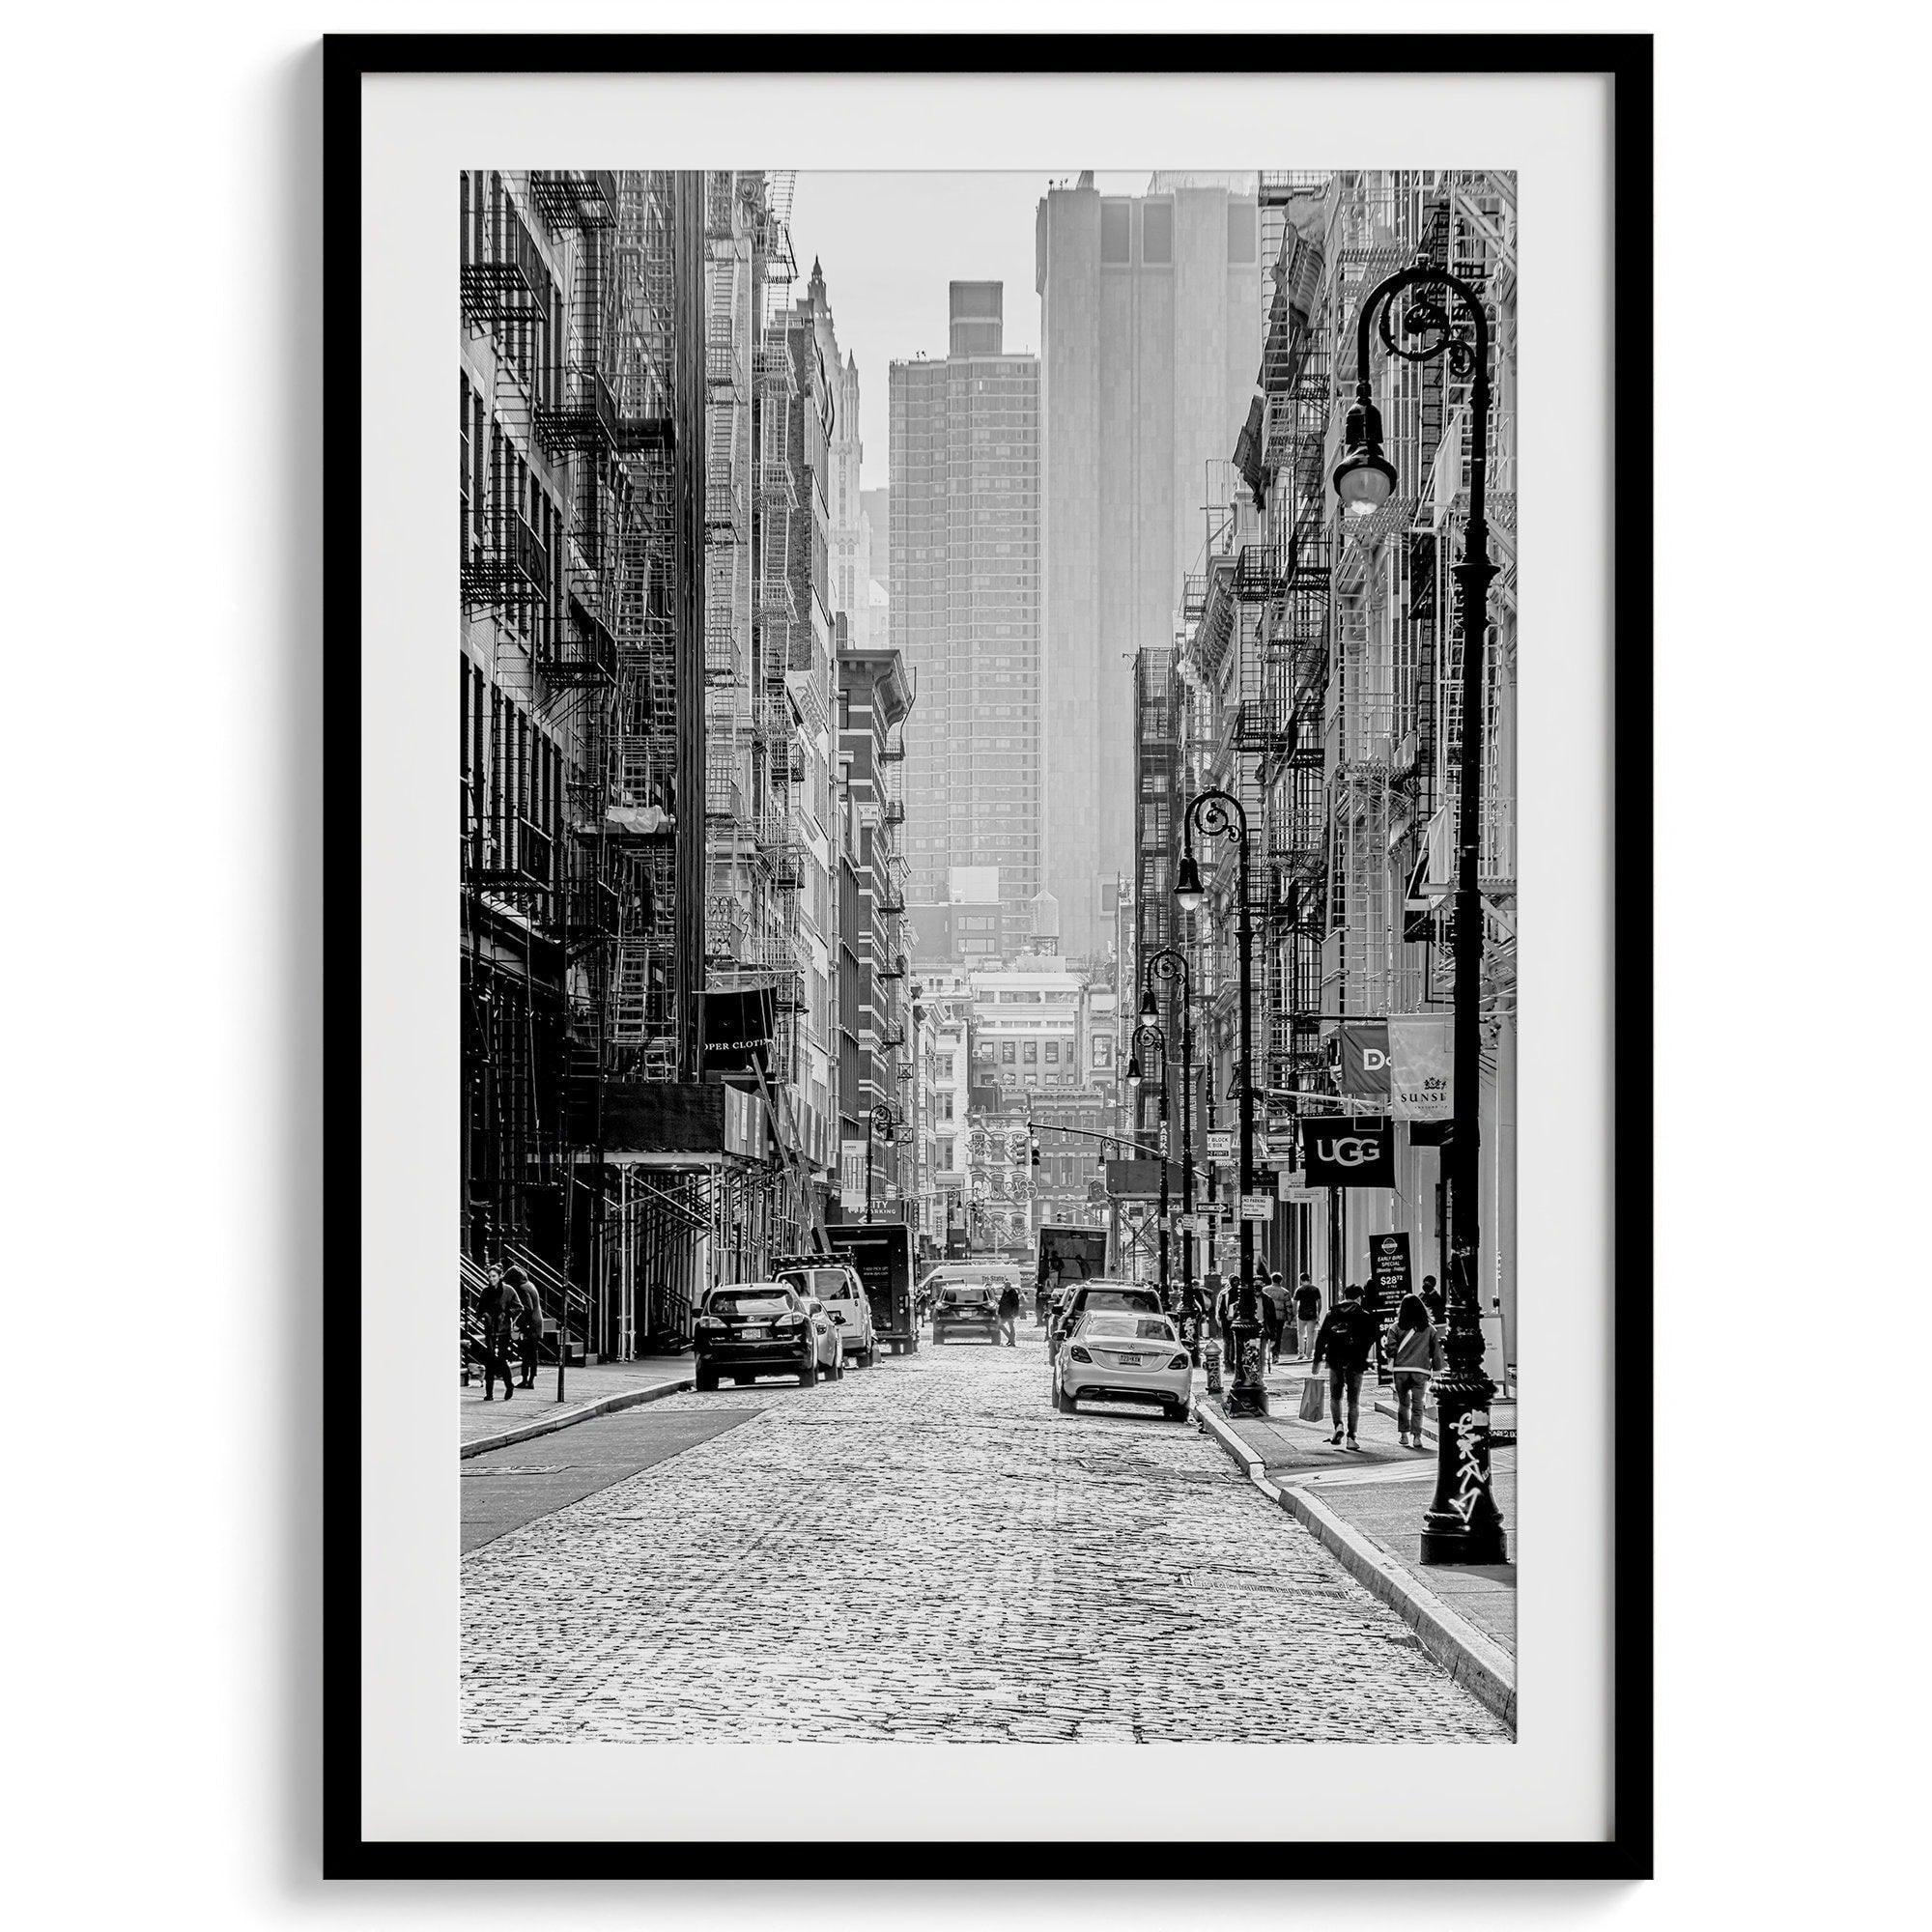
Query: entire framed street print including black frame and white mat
point(1029, 1048)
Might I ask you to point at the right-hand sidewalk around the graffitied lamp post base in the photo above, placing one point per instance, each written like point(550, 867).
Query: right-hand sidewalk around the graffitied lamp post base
point(1367, 1508)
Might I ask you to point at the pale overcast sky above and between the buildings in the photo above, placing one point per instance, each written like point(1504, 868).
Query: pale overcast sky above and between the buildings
point(892, 242)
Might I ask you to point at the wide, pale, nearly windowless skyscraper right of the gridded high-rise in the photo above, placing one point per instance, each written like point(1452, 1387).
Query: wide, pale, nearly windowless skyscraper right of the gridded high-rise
point(1151, 345)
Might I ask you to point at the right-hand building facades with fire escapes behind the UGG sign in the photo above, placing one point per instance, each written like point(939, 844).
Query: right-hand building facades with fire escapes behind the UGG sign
point(1319, 677)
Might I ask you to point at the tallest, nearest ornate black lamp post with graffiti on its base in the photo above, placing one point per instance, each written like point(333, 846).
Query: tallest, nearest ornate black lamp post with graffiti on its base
point(1463, 1523)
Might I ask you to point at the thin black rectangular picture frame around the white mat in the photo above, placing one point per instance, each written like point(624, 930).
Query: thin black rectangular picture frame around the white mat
point(1628, 63)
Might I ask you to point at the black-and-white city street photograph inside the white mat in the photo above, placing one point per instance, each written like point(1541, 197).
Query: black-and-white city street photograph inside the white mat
point(990, 934)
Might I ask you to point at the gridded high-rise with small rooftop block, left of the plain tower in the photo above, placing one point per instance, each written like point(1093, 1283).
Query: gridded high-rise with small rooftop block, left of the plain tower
point(965, 606)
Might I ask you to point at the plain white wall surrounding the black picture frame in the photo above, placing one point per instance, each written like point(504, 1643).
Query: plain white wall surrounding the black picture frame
point(165, 669)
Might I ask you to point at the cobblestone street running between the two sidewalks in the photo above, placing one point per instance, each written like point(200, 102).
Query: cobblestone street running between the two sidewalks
point(924, 1550)
